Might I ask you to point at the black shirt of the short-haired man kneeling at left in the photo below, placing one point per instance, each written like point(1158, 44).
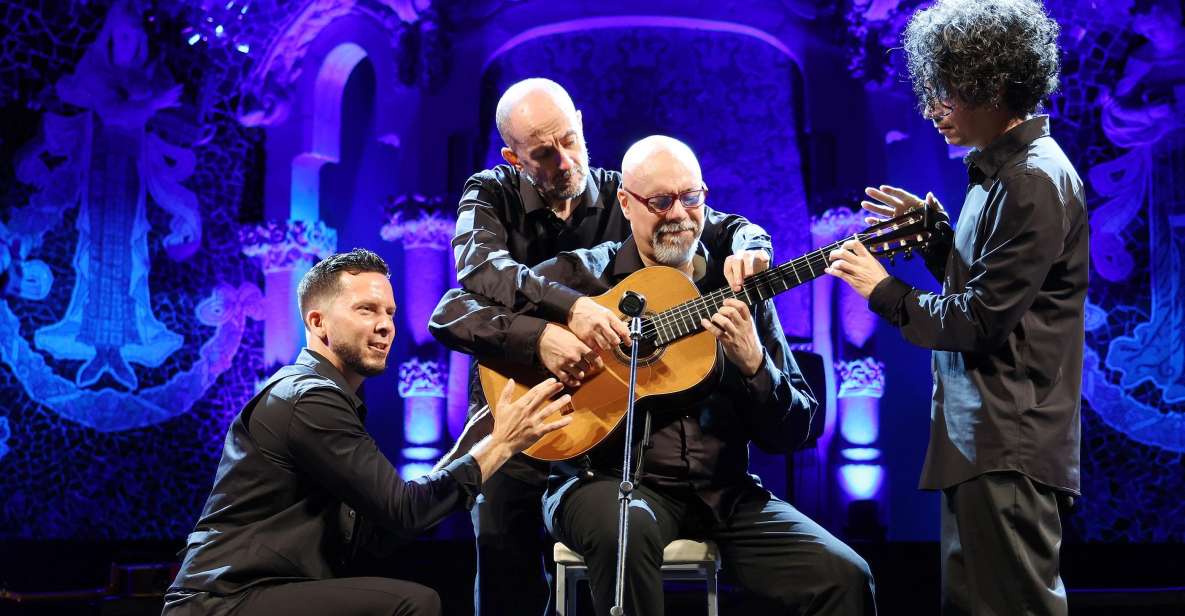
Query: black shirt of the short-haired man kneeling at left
point(302, 487)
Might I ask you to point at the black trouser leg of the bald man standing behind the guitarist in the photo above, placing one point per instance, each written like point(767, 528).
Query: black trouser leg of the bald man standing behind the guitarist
point(514, 550)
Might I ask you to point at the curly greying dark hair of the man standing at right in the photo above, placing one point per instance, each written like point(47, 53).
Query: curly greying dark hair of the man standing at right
point(985, 53)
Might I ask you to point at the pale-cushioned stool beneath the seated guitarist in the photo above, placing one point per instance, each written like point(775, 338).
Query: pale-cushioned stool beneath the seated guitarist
point(682, 560)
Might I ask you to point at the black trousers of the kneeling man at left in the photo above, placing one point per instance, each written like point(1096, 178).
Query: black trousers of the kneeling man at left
point(361, 596)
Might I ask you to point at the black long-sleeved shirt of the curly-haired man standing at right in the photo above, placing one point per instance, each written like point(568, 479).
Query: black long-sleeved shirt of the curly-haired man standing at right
point(1008, 331)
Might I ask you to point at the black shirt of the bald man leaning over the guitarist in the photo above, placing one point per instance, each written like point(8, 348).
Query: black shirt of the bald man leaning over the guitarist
point(503, 229)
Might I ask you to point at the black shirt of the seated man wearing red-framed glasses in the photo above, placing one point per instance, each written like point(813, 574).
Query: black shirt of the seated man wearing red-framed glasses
point(700, 448)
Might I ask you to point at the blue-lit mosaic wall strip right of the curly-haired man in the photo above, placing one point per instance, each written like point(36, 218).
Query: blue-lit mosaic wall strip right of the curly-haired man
point(1120, 115)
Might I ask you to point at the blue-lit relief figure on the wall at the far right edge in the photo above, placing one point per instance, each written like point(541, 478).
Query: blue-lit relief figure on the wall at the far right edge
point(1145, 114)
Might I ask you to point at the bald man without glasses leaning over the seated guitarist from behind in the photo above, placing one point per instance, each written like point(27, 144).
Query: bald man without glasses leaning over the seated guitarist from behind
point(545, 201)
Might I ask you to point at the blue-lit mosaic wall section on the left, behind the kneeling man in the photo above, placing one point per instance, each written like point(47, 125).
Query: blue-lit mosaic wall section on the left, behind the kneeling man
point(129, 315)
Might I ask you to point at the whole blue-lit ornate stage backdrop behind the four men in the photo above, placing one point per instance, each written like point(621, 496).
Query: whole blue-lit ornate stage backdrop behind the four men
point(169, 171)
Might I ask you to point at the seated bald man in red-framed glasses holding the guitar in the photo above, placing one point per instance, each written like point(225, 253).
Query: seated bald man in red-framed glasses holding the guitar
point(694, 479)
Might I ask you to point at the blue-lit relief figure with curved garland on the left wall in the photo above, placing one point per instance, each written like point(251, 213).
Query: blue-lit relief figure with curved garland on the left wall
point(106, 163)
